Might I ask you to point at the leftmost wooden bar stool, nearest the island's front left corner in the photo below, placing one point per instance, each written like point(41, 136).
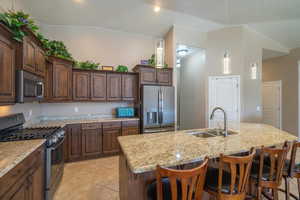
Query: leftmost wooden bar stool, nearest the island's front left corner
point(173, 184)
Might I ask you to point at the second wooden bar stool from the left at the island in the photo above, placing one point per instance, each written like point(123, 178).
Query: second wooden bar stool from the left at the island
point(232, 185)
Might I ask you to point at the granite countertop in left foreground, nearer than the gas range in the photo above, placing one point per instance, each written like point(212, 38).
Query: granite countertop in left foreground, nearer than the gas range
point(12, 153)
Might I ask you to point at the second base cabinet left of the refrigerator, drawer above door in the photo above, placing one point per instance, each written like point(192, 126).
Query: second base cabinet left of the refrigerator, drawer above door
point(111, 132)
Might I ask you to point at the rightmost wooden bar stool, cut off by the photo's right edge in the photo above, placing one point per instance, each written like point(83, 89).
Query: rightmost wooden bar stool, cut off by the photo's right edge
point(292, 170)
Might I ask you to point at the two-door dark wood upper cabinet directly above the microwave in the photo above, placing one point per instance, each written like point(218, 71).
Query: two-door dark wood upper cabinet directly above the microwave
point(30, 55)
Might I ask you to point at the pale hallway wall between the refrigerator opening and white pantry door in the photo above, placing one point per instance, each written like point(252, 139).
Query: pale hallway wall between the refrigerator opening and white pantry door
point(192, 88)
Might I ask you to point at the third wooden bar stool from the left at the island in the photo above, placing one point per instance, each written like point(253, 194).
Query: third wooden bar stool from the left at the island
point(267, 172)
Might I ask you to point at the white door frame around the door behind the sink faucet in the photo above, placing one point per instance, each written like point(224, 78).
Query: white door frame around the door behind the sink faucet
point(210, 79)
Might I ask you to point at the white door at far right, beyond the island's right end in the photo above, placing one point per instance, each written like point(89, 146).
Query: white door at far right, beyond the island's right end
point(272, 103)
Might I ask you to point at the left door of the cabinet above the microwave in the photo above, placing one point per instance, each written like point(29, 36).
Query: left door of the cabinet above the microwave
point(29, 55)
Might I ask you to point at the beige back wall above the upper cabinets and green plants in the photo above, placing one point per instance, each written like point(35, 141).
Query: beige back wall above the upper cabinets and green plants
point(106, 46)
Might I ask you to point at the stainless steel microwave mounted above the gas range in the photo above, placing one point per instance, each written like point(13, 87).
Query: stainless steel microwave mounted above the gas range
point(29, 87)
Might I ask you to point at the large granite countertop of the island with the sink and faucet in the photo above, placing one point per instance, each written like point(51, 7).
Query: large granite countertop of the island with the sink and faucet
point(145, 152)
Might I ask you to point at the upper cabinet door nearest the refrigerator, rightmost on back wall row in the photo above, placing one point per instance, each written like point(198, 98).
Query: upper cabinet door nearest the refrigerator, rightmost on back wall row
point(129, 87)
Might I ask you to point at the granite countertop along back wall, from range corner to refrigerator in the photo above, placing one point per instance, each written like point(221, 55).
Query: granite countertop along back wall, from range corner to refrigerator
point(63, 122)
